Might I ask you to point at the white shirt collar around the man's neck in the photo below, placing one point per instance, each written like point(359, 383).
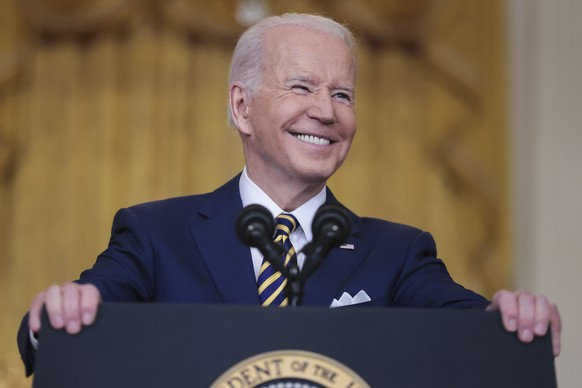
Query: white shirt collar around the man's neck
point(252, 194)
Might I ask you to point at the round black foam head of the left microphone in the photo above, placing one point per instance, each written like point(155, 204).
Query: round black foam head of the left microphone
point(254, 223)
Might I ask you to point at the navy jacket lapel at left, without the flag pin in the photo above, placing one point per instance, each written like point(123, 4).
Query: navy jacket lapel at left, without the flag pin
point(227, 258)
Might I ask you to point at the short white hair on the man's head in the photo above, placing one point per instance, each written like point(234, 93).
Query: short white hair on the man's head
point(247, 60)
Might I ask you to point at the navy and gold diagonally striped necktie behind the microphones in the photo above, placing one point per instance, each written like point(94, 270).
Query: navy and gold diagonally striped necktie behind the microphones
point(271, 283)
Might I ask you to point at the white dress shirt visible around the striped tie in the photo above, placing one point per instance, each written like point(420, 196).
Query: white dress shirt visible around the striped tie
point(252, 194)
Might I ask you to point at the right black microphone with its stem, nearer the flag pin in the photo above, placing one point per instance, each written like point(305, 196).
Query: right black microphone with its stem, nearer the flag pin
point(331, 227)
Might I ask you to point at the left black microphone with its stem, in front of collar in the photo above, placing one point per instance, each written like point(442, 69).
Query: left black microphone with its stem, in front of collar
point(255, 227)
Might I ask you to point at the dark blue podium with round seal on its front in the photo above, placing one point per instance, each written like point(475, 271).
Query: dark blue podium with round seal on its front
point(236, 346)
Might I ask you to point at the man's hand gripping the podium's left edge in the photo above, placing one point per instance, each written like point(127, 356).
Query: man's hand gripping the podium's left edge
point(70, 307)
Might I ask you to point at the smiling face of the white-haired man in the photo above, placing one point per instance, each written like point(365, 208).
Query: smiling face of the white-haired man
point(302, 120)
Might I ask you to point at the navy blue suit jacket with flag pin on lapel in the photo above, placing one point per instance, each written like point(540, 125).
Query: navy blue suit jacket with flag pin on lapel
point(186, 250)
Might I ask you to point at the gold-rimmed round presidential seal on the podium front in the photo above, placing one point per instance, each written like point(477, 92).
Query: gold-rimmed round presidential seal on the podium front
point(289, 369)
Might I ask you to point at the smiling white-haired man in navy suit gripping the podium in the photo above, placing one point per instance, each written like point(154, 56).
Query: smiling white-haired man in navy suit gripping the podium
point(291, 97)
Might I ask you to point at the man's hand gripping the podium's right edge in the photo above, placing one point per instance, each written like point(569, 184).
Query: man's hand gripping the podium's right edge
point(529, 315)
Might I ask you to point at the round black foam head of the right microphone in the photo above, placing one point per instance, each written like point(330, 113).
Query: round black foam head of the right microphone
point(332, 223)
